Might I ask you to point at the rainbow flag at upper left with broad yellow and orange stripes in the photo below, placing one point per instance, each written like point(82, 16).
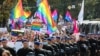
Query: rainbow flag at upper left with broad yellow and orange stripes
point(18, 12)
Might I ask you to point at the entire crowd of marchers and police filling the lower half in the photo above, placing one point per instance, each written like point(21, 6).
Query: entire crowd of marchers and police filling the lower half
point(62, 44)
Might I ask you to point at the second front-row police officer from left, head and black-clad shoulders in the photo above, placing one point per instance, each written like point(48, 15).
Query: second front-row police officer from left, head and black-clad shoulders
point(25, 50)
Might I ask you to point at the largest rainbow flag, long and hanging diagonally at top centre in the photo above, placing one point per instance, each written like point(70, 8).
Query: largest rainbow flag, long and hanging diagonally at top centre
point(44, 10)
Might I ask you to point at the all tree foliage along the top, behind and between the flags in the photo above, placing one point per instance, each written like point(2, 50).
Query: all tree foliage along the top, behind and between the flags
point(92, 9)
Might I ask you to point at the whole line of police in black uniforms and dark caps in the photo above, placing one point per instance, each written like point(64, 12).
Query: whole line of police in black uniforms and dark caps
point(87, 45)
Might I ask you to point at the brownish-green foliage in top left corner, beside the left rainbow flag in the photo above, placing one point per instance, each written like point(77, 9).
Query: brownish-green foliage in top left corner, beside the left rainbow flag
point(6, 6)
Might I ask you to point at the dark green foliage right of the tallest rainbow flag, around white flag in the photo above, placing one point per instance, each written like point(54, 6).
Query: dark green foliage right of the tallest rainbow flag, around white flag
point(92, 9)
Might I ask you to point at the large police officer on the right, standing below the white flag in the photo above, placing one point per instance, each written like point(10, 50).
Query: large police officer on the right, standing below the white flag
point(83, 45)
